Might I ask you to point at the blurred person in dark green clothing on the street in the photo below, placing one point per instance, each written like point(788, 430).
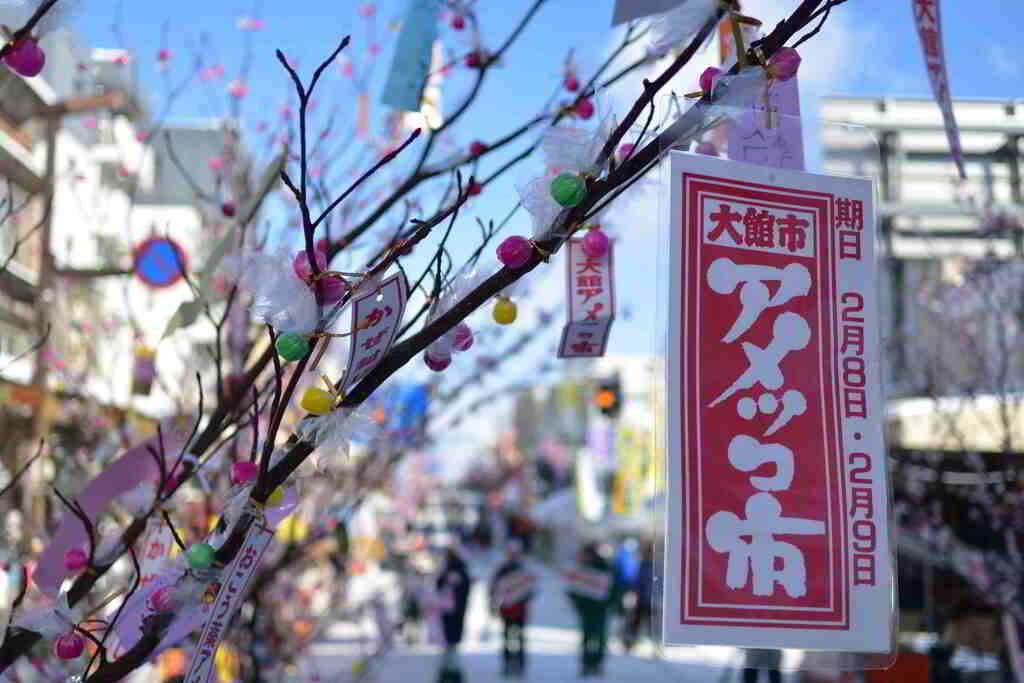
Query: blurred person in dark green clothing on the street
point(593, 591)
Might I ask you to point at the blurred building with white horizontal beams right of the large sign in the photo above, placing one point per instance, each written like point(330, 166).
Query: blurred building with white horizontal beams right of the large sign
point(934, 228)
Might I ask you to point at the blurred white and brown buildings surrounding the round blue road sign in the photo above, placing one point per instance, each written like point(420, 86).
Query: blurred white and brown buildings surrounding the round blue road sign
point(114, 185)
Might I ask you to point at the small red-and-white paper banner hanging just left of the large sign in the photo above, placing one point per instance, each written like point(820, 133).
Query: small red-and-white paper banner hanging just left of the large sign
point(590, 295)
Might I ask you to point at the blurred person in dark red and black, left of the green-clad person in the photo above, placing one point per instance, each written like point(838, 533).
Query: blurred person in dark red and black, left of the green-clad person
point(511, 591)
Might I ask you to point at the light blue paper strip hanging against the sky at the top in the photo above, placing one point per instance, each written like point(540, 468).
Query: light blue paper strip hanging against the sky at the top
point(411, 64)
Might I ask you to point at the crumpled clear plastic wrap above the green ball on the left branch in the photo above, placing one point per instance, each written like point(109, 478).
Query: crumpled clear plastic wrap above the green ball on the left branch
point(280, 298)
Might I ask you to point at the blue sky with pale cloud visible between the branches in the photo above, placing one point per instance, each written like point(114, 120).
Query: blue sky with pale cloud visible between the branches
point(868, 49)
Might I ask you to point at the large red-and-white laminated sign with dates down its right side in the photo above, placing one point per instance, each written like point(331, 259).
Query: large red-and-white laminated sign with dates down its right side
point(778, 513)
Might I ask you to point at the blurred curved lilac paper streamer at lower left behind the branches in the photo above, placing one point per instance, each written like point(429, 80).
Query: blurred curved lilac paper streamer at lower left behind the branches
point(122, 476)
